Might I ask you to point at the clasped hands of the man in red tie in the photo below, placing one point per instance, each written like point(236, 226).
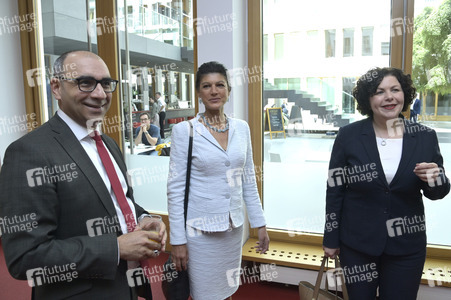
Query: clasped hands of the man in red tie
point(138, 245)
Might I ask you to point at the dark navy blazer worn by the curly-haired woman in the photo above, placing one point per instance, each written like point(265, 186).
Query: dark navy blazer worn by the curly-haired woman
point(366, 213)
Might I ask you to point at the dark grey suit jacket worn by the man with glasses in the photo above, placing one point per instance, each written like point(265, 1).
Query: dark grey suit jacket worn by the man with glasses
point(61, 208)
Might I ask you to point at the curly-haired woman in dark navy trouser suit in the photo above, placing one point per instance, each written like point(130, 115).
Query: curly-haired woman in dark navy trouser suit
point(379, 169)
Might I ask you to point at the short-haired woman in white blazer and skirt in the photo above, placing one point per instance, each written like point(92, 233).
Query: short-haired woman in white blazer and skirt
point(222, 178)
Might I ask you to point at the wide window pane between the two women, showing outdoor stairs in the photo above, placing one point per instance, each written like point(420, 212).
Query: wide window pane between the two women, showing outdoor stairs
point(317, 84)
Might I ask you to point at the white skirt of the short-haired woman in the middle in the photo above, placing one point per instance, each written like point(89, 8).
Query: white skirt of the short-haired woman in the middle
point(213, 260)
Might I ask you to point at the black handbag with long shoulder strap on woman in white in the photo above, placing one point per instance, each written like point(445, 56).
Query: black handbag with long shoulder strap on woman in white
point(178, 287)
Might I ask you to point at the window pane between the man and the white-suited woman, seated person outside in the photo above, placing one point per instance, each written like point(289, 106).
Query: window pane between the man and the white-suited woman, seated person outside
point(167, 27)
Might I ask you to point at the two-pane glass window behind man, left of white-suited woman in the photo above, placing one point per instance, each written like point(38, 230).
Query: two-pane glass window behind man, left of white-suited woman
point(160, 58)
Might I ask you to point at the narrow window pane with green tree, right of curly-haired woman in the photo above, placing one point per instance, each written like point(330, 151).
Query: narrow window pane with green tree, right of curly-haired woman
point(431, 74)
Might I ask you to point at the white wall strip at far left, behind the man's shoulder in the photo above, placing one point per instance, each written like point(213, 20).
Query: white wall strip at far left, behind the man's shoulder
point(12, 105)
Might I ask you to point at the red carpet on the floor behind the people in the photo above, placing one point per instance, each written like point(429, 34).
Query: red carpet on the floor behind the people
point(19, 290)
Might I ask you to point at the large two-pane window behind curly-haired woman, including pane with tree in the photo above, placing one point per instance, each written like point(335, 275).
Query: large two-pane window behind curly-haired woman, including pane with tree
point(296, 167)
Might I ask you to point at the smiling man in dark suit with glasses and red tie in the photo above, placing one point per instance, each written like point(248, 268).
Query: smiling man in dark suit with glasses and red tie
point(64, 229)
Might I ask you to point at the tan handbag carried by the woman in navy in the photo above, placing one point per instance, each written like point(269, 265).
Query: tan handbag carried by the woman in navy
point(308, 291)
